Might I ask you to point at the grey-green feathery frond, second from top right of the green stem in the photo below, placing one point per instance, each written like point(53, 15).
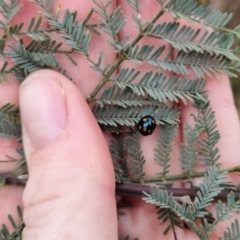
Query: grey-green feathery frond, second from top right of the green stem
point(184, 39)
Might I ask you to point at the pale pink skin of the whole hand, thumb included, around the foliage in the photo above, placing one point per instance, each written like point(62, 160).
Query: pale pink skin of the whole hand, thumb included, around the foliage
point(70, 193)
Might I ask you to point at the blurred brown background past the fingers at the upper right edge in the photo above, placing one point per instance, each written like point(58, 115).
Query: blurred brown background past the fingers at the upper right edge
point(230, 6)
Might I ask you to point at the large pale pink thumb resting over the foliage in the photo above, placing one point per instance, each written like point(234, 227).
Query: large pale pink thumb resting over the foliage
point(70, 191)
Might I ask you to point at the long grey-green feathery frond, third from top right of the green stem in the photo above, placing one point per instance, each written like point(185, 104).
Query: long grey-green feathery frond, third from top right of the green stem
point(202, 64)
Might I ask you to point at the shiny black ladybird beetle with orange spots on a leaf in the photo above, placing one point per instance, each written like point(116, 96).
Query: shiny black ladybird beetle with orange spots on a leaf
point(146, 125)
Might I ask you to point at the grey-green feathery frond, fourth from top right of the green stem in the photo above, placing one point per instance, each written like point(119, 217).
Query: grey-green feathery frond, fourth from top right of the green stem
point(160, 87)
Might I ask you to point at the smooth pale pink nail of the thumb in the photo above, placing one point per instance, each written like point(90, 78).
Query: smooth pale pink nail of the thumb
point(43, 109)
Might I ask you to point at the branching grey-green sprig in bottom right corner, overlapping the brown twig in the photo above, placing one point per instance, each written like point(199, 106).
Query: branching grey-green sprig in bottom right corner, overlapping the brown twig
point(169, 207)
